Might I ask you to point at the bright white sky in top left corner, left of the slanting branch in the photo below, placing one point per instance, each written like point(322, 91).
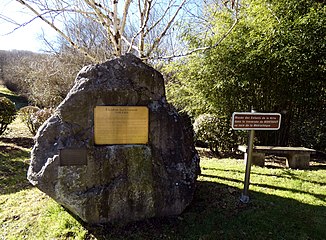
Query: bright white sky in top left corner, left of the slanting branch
point(24, 38)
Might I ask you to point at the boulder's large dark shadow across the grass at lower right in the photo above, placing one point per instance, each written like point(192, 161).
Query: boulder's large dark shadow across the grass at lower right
point(217, 213)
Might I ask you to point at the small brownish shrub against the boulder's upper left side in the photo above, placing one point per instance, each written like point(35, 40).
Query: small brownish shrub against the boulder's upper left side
point(34, 117)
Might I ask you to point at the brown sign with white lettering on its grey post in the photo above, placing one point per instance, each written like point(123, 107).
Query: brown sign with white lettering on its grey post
point(253, 121)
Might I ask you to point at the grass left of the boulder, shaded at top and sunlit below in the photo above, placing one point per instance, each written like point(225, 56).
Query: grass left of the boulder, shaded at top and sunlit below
point(26, 212)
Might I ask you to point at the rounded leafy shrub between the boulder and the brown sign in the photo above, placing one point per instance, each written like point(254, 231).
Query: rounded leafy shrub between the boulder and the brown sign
point(216, 132)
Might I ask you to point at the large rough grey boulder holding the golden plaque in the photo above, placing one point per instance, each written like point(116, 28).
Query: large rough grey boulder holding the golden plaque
point(116, 182)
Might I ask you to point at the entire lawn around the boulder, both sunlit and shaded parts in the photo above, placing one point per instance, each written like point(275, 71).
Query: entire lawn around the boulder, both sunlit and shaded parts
point(285, 203)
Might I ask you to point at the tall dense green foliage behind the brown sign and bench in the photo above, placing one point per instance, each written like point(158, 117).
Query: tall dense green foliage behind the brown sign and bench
point(273, 61)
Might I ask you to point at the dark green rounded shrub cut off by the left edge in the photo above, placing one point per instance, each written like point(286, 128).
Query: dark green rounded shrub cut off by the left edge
point(7, 113)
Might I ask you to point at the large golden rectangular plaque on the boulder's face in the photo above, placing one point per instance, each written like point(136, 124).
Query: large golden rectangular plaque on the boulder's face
point(120, 125)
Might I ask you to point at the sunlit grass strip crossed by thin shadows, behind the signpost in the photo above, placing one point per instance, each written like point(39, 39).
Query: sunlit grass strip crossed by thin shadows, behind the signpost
point(305, 186)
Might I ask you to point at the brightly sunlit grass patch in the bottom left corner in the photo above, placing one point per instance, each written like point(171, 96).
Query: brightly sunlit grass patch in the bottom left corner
point(30, 214)
